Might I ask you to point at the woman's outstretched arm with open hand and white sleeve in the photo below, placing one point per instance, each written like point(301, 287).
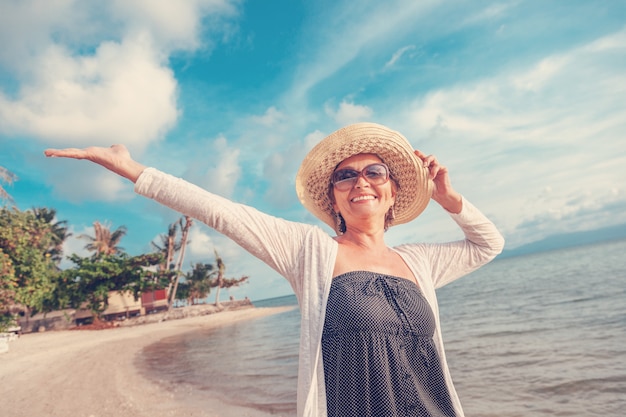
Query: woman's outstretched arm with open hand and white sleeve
point(277, 242)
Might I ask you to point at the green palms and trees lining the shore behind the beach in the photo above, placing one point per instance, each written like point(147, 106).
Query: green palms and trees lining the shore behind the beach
point(31, 280)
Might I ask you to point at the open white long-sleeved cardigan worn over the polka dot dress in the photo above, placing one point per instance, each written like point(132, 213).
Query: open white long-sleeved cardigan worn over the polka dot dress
point(305, 256)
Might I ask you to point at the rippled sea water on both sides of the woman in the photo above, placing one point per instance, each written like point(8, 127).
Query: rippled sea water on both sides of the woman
point(535, 335)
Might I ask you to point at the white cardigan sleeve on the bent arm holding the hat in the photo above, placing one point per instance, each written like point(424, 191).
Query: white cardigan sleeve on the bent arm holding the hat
point(445, 262)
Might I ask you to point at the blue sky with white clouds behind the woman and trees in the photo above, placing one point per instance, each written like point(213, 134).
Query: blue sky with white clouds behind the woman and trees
point(523, 101)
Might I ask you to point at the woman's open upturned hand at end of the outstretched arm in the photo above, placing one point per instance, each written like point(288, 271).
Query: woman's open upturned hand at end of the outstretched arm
point(116, 159)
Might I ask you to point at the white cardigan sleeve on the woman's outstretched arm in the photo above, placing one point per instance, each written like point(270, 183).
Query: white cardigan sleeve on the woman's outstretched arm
point(275, 241)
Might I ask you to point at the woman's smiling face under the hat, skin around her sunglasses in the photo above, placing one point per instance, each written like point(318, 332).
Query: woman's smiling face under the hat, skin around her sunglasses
point(363, 200)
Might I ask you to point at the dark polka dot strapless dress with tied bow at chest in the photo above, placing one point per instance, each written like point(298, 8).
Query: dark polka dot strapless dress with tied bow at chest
point(379, 356)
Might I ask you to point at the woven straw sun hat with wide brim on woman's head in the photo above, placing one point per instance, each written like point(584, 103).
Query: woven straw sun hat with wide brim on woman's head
point(313, 178)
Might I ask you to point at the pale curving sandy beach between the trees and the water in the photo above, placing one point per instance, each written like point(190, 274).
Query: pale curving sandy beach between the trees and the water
point(91, 373)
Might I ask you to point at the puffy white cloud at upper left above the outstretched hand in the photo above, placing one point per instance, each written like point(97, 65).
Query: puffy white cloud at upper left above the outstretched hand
point(121, 93)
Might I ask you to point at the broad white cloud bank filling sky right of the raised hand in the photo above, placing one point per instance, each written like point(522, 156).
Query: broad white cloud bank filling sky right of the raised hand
point(556, 125)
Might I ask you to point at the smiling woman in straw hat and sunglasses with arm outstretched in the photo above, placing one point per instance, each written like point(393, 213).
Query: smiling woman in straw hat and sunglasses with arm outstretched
point(370, 340)
